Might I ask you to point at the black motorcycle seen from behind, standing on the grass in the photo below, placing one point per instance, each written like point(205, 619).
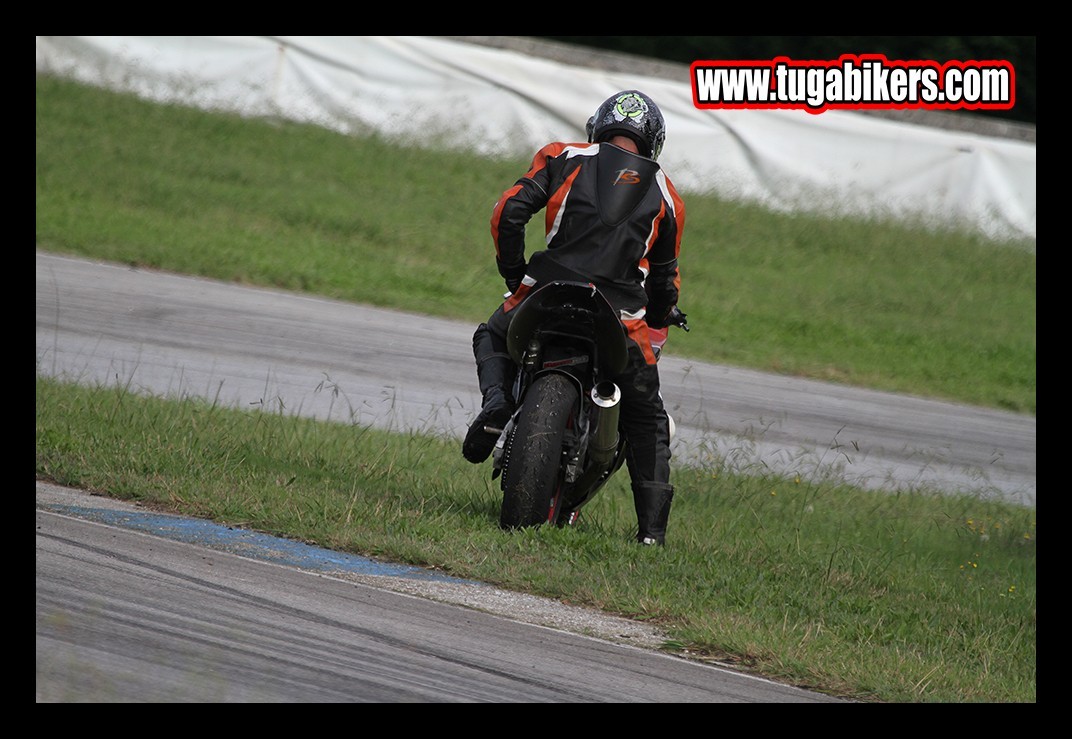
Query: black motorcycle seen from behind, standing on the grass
point(562, 445)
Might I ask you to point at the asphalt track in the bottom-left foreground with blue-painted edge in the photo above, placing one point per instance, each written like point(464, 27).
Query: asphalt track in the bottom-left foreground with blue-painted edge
point(140, 608)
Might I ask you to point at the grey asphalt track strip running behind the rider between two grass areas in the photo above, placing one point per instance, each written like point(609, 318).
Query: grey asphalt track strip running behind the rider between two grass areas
point(173, 335)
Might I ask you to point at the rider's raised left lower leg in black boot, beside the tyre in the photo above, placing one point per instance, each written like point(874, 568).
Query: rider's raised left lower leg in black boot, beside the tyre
point(496, 374)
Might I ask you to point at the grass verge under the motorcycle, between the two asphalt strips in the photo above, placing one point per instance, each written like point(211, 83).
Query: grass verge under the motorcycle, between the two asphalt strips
point(907, 598)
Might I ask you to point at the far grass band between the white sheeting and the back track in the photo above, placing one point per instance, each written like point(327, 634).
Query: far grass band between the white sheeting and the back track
point(369, 220)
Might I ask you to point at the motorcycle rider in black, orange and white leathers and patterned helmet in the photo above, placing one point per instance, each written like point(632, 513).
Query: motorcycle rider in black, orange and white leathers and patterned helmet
point(614, 219)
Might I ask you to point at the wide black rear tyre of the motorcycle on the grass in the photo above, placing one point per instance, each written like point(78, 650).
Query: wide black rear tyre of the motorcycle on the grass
point(534, 468)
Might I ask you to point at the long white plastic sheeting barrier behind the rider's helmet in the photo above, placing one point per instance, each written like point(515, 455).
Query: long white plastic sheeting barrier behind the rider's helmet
point(498, 102)
